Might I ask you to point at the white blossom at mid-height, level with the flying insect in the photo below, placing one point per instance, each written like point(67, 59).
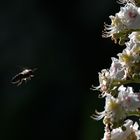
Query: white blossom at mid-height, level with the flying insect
point(111, 77)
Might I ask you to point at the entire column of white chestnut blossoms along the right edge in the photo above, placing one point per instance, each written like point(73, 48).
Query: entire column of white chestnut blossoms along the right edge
point(121, 100)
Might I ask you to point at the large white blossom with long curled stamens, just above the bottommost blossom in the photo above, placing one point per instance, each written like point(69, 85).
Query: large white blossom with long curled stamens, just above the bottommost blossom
point(117, 109)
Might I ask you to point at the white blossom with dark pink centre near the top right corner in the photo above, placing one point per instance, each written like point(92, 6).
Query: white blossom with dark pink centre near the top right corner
point(127, 18)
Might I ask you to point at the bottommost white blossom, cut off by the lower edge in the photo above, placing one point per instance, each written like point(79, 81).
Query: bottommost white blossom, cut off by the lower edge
point(131, 132)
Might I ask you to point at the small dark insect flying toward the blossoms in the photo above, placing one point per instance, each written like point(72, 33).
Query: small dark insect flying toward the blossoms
point(25, 75)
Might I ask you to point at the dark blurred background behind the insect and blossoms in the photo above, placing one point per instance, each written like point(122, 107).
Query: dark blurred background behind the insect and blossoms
point(63, 40)
